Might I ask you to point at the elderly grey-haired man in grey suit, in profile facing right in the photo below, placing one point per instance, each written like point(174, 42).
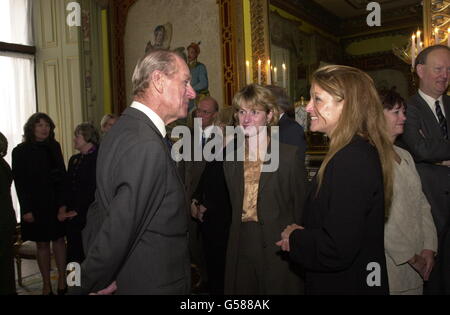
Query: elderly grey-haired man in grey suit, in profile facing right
point(136, 235)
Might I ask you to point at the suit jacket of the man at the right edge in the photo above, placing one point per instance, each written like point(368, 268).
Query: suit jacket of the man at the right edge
point(422, 137)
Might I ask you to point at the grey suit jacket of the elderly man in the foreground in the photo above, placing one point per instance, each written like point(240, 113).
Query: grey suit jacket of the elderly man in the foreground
point(136, 229)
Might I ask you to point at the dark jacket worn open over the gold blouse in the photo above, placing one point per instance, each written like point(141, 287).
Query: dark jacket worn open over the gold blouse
point(281, 196)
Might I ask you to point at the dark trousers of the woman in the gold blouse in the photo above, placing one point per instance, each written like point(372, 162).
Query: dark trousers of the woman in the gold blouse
point(250, 266)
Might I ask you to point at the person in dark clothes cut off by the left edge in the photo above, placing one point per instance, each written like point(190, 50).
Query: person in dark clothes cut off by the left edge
point(7, 224)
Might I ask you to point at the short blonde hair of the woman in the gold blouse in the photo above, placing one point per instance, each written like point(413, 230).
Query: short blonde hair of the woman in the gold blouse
point(256, 97)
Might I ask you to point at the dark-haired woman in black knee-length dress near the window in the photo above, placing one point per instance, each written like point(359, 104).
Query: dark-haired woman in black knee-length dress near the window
point(39, 173)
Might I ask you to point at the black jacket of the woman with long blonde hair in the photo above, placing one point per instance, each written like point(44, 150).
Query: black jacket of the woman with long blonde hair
point(344, 225)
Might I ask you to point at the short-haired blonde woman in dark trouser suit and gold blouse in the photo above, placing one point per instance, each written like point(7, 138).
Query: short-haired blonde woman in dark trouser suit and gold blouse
point(264, 197)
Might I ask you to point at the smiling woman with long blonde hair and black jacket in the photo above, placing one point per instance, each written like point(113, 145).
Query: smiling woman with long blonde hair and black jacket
point(341, 243)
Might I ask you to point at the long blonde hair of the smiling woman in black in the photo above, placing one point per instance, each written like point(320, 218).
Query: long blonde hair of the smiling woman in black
point(362, 114)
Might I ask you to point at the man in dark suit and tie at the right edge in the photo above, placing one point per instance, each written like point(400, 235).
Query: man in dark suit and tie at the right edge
point(426, 137)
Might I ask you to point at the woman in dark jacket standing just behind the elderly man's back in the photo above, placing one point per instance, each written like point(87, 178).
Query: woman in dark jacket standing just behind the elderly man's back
point(80, 189)
